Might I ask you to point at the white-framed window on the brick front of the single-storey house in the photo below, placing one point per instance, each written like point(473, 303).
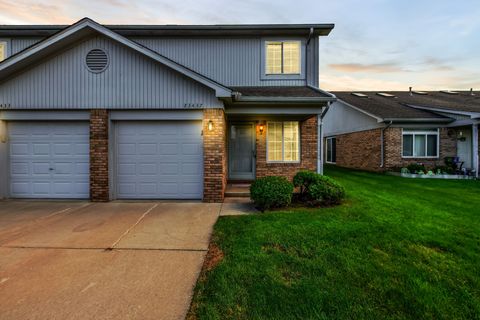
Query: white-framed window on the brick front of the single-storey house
point(420, 143)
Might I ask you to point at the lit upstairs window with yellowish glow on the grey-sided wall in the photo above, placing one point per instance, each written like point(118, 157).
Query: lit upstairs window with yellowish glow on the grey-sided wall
point(282, 57)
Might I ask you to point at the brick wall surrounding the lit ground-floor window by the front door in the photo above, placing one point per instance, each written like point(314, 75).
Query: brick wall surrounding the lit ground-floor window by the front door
point(308, 157)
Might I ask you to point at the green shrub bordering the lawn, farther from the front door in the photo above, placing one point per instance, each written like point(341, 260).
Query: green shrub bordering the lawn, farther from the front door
point(316, 189)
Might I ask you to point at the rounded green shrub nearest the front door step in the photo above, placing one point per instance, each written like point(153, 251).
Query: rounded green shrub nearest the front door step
point(271, 192)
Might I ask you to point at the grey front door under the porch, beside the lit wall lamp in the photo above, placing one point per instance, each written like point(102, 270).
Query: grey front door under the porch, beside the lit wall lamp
point(241, 151)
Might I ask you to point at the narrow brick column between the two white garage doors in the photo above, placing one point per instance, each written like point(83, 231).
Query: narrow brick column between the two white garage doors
point(99, 155)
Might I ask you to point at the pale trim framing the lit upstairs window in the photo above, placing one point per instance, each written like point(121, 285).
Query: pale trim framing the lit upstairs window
point(282, 76)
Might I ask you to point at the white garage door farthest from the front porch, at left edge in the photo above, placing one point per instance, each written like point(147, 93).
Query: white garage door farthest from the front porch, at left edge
point(49, 159)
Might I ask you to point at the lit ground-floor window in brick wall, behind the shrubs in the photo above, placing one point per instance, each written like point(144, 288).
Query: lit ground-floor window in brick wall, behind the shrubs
point(283, 141)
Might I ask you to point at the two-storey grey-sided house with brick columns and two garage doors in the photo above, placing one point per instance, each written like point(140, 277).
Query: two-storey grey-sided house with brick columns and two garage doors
point(156, 112)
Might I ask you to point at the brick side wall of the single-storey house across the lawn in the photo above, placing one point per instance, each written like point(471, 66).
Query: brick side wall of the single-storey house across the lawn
point(359, 150)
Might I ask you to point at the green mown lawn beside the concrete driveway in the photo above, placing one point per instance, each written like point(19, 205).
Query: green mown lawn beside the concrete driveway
point(396, 249)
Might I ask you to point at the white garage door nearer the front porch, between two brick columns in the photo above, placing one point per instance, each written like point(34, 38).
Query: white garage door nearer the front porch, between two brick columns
point(159, 160)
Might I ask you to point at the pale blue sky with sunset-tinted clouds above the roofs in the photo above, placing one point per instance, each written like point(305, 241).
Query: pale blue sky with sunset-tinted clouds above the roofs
point(376, 44)
